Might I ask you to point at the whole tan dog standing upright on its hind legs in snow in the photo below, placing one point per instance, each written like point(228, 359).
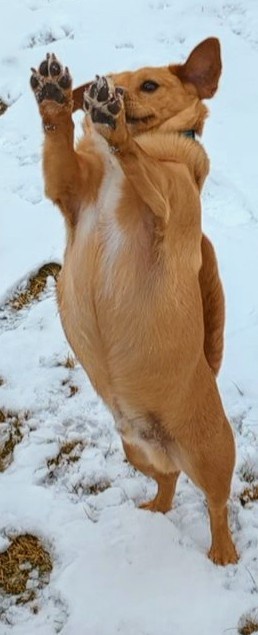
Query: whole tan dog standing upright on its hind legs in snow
point(129, 291)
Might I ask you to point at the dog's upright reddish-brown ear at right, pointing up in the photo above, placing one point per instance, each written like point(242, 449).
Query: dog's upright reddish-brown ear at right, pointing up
point(202, 68)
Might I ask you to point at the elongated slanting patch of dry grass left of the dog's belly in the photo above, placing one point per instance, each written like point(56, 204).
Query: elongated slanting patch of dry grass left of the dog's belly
point(35, 286)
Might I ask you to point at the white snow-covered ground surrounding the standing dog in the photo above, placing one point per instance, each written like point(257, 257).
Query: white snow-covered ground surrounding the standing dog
point(118, 569)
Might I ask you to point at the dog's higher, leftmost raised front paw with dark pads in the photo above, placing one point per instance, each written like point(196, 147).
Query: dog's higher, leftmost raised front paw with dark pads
point(51, 81)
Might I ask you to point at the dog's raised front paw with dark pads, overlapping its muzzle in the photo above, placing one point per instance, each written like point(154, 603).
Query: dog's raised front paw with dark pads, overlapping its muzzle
point(103, 101)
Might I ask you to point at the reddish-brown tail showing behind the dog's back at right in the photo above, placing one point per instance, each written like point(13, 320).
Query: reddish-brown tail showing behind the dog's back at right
point(213, 306)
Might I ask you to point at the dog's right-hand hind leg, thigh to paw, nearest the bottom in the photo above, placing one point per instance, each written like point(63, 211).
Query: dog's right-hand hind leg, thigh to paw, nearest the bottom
point(207, 451)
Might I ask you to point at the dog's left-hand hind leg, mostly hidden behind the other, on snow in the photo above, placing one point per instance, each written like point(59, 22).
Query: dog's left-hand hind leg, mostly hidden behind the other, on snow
point(166, 482)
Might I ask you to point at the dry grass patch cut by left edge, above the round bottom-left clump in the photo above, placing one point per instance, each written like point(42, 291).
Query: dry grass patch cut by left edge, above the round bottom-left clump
point(11, 433)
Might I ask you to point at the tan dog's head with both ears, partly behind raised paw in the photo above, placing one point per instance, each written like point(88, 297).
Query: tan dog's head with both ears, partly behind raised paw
point(155, 95)
